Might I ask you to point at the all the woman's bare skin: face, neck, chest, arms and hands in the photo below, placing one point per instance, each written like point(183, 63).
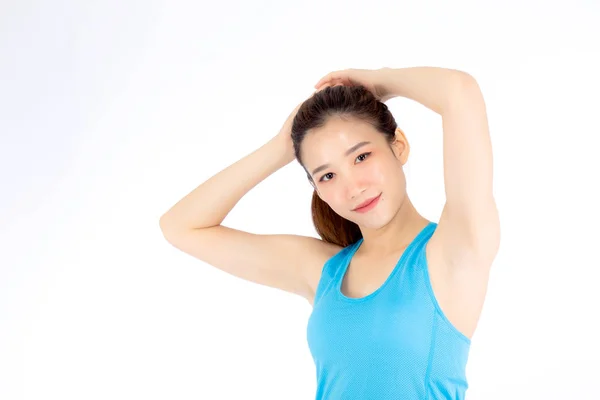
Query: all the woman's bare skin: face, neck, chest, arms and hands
point(459, 253)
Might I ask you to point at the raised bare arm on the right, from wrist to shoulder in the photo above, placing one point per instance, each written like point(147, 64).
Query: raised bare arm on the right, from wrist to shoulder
point(469, 224)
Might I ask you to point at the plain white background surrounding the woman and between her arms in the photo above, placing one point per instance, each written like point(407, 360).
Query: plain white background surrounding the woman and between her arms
point(110, 112)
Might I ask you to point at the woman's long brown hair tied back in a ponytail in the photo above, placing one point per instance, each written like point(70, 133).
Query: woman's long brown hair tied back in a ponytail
point(343, 101)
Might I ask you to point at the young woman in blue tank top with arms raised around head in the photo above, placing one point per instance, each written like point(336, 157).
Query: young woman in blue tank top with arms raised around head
point(396, 297)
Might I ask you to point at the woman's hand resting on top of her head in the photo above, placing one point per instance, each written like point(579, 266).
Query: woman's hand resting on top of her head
point(372, 79)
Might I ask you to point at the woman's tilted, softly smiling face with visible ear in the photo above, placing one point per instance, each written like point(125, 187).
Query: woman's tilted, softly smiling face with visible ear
point(351, 162)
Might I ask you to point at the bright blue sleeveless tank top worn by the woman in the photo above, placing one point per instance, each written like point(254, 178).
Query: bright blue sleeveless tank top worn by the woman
point(394, 343)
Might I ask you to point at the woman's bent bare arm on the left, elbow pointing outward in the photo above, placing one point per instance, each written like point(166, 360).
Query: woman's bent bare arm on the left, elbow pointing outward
point(288, 262)
